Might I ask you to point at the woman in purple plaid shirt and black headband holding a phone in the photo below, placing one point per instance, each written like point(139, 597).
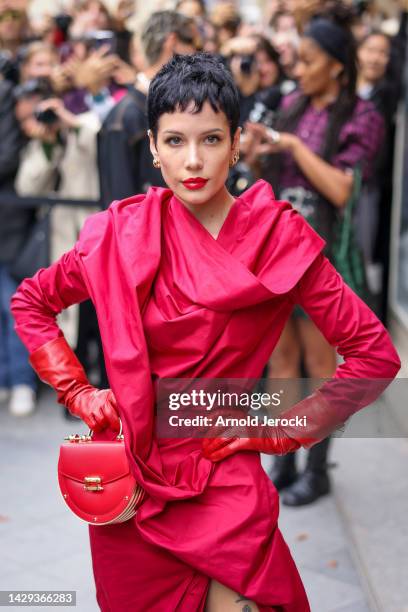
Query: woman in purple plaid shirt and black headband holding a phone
point(324, 136)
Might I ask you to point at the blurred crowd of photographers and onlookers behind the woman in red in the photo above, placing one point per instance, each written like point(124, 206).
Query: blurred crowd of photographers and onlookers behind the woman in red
point(319, 83)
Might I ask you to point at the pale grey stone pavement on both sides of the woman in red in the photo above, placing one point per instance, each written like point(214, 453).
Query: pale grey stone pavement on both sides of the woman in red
point(350, 548)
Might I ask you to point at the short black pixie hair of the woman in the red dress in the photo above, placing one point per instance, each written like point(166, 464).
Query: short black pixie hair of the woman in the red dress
point(187, 79)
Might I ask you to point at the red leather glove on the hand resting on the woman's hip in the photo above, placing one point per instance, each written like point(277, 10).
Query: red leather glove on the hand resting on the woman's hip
point(321, 420)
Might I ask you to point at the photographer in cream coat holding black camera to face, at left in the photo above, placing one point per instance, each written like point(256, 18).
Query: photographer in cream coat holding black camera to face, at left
point(59, 159)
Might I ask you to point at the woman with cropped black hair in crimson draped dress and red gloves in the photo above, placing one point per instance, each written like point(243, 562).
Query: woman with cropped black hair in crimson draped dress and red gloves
point(189, 283)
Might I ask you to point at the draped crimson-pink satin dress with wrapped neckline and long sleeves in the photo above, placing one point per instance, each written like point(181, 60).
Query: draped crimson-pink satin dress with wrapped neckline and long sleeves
point(174, 302)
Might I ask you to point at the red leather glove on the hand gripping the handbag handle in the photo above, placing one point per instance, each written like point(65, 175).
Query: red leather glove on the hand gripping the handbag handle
point(57, 365)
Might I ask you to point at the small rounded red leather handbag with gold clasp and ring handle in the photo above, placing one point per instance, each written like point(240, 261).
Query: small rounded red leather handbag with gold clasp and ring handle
point(95, 480)
